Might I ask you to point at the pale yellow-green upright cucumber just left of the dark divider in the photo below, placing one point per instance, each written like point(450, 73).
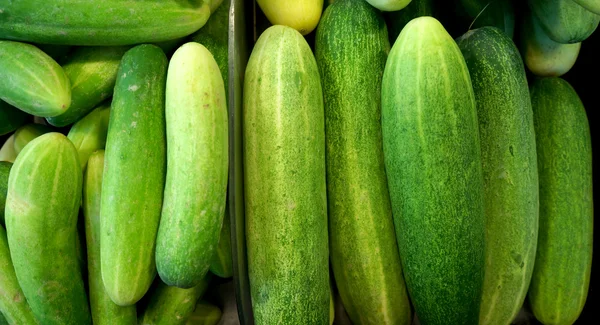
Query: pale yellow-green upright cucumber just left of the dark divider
point(197, 167)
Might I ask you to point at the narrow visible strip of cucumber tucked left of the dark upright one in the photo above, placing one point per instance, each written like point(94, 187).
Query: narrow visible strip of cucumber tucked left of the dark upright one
point(104, 311)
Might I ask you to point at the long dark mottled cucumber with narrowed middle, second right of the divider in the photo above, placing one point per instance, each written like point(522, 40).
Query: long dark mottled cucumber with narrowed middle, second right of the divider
point(351, 50)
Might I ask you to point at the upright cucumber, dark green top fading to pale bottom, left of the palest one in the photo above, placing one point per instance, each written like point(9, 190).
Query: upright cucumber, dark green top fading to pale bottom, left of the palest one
point(134, 175)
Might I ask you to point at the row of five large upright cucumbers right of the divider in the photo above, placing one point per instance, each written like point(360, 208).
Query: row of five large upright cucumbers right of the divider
point(430, 174)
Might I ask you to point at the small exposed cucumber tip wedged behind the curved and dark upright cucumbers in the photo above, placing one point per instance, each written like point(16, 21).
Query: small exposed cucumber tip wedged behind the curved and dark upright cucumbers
point(89, 133)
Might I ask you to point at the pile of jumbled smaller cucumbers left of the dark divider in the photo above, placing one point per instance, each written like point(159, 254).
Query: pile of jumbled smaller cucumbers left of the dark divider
point(113, 180)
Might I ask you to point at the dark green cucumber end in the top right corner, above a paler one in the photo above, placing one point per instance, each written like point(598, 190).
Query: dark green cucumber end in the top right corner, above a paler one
point(564, 21)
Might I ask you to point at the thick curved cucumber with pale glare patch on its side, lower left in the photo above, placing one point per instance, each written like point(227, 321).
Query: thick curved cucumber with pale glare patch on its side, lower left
point(44, 193)
